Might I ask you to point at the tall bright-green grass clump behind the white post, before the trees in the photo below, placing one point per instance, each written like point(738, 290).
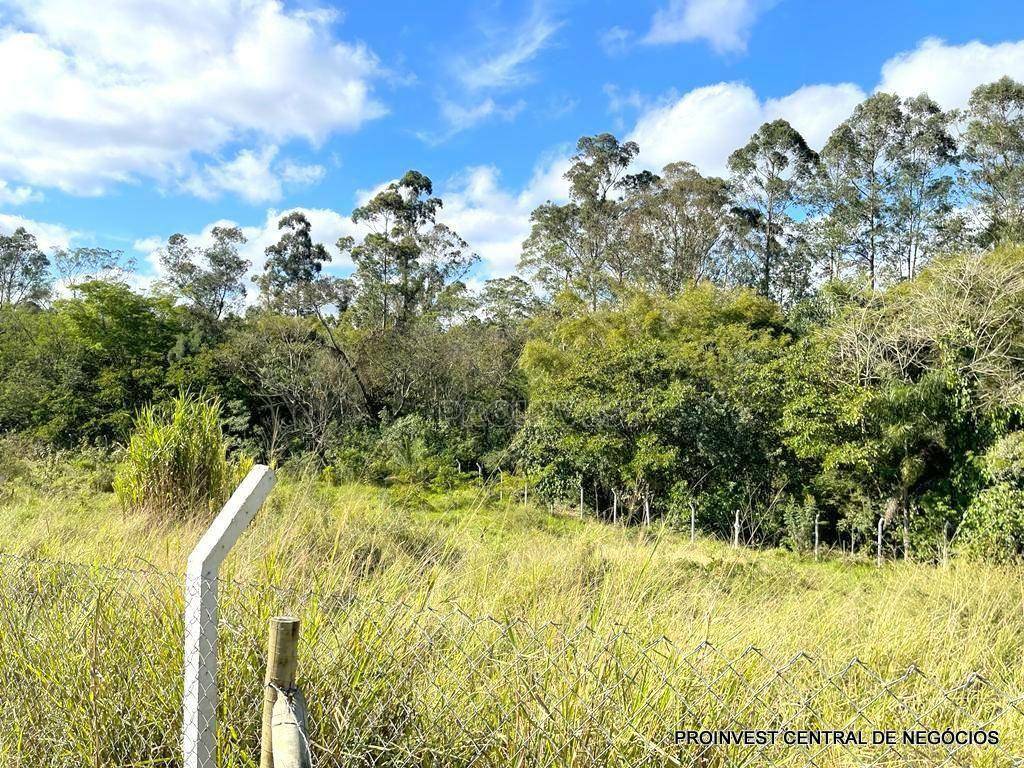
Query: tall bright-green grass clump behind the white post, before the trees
point(177, 461)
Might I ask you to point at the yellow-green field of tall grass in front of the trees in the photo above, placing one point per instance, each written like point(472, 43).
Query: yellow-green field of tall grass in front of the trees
point(487, 598)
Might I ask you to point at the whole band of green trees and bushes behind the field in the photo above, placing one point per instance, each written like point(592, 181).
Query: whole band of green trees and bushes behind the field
point(834, 336)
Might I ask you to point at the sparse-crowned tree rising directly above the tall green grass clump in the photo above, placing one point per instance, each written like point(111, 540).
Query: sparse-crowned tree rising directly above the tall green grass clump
point(211, 279)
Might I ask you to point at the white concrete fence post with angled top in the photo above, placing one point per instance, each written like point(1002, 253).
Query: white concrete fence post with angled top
point(199, 726)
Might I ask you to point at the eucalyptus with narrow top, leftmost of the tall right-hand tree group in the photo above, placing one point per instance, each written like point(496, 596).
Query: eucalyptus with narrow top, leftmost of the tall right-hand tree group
point(579, 245)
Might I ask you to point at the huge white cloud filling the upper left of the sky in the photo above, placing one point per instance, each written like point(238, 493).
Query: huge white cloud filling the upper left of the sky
point(135, 91)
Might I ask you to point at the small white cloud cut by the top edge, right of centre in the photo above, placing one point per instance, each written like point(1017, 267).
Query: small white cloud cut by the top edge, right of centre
point(724, 24)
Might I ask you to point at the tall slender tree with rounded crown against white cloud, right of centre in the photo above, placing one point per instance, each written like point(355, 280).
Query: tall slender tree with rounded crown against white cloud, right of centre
point(770, 176)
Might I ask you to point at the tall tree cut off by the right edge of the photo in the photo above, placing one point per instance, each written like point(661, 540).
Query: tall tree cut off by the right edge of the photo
point(994, 154)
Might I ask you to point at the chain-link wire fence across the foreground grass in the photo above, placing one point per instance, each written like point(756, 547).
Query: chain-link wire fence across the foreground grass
point(92, 661)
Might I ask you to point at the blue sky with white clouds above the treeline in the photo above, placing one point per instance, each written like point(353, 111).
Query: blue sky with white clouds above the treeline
point(135, 120)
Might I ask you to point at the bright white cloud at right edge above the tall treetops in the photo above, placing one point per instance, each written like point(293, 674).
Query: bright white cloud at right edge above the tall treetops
point(950, 73)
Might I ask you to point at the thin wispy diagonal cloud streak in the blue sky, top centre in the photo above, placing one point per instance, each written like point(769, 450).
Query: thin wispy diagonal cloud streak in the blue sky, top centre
point(503, 65)
